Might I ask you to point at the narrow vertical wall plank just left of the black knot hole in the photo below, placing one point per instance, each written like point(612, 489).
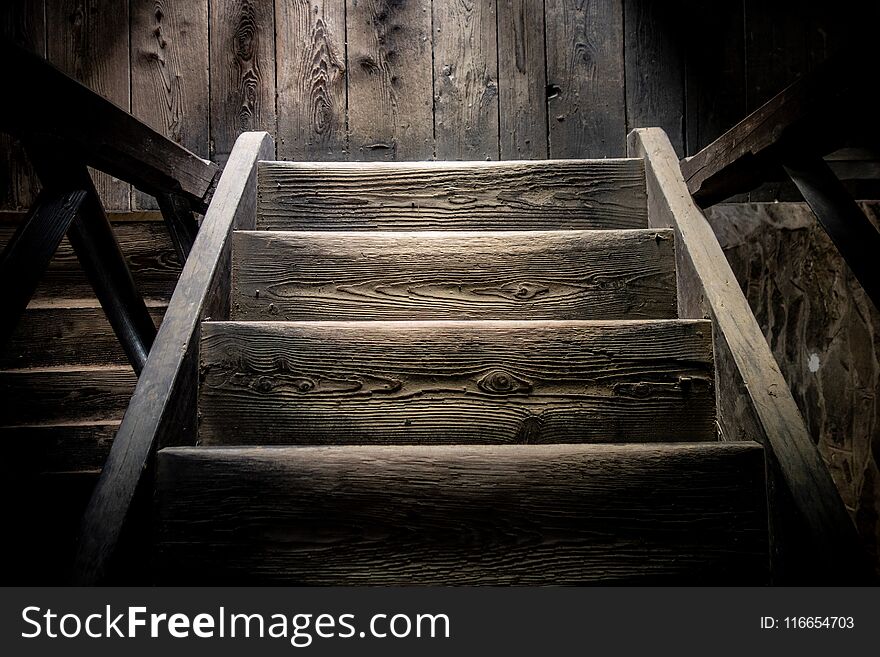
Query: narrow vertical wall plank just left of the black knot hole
point(522, 81)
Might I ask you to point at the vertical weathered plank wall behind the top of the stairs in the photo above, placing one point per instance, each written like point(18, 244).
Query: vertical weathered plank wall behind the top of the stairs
point(421, 79)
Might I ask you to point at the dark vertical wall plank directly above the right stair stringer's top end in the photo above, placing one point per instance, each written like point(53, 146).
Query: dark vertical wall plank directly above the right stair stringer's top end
point(655, 36)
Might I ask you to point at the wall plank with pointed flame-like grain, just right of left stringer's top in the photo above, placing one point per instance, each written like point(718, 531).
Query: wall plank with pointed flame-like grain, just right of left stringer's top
point(311, 71)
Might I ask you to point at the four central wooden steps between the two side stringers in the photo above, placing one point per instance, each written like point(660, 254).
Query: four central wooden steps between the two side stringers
point(457, 373)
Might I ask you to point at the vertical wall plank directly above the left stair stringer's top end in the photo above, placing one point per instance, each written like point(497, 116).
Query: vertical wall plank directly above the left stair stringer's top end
point(242, 69)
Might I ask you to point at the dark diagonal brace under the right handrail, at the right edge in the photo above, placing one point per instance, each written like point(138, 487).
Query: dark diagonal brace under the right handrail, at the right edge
point(847, 226)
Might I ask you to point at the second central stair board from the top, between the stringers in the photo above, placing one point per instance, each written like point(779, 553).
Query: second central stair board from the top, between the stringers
point(454, 275)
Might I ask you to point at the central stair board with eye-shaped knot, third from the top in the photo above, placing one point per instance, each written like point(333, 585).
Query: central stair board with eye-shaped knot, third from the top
point(456, 382)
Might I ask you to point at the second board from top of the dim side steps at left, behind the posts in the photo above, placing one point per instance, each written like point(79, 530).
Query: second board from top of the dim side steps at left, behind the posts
point(65, 332)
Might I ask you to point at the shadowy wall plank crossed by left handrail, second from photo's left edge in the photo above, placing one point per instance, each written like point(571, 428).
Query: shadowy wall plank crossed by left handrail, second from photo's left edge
point(91, 43)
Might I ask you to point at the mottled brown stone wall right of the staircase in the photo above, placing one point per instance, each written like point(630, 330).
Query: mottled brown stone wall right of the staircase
point(825, 334)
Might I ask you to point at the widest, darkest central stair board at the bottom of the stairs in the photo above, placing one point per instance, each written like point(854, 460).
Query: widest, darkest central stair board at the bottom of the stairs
point(524, 514)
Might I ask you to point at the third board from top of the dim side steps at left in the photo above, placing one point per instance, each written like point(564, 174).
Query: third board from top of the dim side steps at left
point(64, 394)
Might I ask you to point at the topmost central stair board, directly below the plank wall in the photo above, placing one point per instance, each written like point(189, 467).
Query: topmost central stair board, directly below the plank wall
point(511, 195)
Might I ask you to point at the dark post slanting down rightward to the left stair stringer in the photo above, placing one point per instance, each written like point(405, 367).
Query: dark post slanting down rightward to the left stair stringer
point(92, 238)
